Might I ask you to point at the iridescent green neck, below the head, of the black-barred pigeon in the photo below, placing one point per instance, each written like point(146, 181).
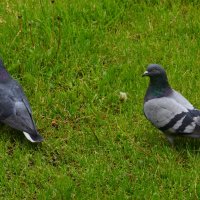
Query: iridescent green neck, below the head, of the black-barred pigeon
point(158, 87)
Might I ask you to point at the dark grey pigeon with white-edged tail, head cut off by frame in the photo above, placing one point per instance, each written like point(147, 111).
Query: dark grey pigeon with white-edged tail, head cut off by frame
point(15, 110)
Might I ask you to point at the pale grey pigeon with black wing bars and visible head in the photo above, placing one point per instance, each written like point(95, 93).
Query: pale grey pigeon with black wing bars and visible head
point(167, 109)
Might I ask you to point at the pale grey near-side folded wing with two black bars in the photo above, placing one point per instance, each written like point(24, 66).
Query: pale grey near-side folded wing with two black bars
point(168, 115)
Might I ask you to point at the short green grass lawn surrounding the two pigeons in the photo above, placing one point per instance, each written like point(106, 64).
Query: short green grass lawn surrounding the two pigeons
point(72, 59)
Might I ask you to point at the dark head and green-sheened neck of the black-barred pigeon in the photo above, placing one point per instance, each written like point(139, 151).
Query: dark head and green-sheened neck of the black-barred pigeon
point(159, 85)
